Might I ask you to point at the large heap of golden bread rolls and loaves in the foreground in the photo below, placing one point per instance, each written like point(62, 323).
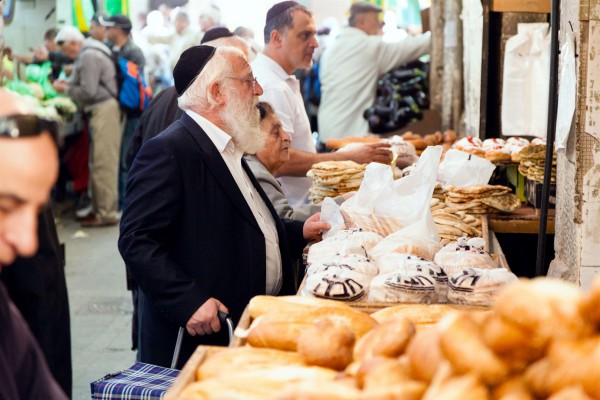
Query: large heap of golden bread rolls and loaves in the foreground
point(540, 339)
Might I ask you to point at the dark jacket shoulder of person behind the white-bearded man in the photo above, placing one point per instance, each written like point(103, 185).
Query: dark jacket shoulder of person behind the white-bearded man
point(161, 112)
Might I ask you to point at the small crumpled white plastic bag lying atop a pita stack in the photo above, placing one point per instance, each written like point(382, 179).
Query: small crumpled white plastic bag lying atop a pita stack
point(464, 169)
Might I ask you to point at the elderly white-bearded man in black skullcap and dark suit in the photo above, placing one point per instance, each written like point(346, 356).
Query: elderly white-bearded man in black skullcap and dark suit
point(197, 230)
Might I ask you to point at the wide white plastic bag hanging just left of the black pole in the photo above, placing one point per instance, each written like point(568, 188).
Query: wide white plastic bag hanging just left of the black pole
point(525, 81)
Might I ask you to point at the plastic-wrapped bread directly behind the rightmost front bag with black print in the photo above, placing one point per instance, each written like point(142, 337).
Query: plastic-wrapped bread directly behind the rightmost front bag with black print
point(466, 252)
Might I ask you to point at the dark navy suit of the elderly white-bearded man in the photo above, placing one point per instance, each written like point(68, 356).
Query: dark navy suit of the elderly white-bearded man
point(187, 234)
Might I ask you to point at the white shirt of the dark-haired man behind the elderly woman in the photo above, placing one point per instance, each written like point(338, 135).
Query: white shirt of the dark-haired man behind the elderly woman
point(282, 91)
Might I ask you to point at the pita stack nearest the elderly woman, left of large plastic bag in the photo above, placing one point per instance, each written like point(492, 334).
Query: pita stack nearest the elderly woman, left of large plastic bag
point(333, 178)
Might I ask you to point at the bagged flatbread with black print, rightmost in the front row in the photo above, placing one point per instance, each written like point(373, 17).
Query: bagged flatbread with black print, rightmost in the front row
point(477, 286)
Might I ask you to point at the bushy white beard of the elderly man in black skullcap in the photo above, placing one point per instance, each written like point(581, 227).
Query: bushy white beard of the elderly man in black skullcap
point(243, 123)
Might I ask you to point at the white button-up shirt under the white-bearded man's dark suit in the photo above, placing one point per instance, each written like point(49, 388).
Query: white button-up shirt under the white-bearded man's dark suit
point(233, 158)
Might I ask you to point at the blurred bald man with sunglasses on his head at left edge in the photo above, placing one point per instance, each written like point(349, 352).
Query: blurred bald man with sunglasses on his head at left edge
point(28, 169)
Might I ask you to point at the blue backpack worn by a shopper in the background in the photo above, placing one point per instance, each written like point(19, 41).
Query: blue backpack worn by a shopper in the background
point(134, 93)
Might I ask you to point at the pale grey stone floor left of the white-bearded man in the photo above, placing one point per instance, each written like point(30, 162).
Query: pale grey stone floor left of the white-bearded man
point(100, 303)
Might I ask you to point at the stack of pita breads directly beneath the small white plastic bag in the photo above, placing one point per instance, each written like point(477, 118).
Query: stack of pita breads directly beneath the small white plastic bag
point(482, 199)
